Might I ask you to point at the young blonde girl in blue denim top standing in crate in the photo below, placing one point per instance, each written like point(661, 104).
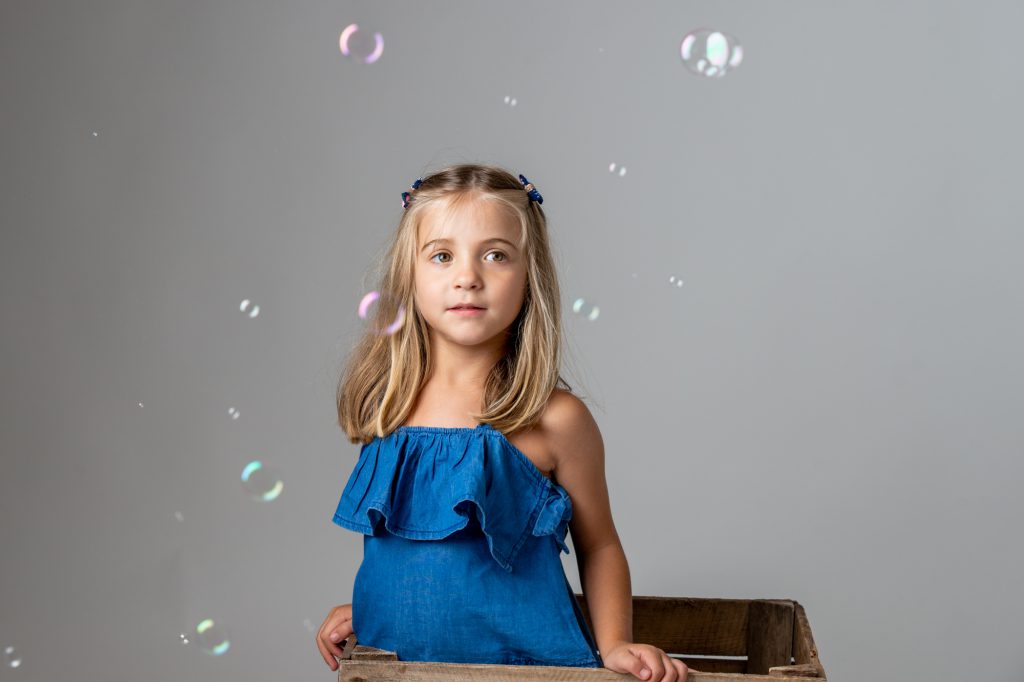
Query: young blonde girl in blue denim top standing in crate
point(465, 432)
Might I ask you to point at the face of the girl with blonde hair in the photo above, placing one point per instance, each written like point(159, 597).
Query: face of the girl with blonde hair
point(475, 262)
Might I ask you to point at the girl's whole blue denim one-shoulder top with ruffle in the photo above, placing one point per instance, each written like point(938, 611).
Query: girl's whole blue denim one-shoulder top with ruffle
point(462, 536)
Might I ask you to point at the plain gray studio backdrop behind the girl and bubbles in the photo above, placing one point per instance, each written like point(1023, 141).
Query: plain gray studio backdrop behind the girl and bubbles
point(829, 410)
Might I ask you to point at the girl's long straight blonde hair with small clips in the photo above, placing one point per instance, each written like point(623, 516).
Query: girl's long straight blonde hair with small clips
point(386, 372)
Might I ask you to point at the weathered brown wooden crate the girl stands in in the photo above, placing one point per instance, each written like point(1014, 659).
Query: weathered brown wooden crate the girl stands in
point(774, 637)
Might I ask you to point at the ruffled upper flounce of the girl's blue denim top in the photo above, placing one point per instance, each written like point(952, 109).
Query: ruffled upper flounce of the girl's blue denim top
point(424, 482)
